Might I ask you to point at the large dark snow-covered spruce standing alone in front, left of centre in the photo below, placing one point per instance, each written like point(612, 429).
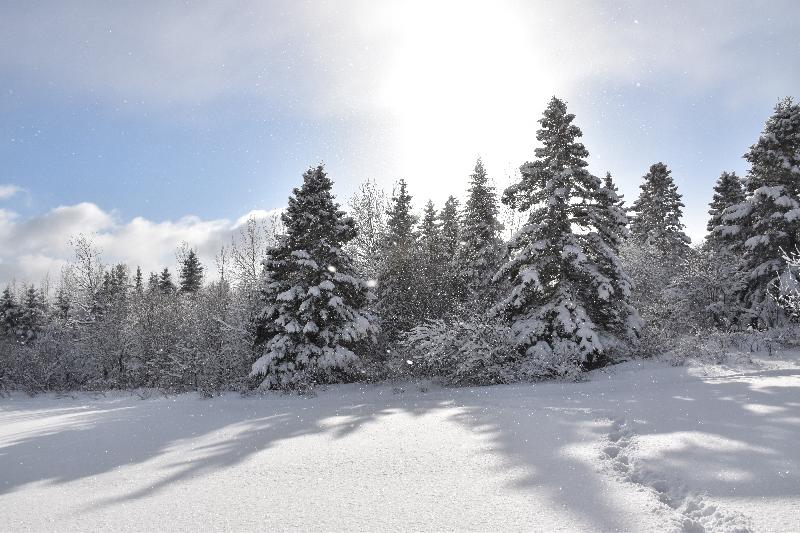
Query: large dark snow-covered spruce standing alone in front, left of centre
point(314, 309)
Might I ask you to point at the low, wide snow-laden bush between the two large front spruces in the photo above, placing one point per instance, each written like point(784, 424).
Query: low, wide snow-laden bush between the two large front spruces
point(478, 351)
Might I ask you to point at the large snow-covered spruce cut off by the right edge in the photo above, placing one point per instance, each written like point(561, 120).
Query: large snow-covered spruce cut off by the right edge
point(767, 222)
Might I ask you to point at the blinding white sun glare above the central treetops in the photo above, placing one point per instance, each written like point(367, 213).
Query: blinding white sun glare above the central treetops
point(462, 80)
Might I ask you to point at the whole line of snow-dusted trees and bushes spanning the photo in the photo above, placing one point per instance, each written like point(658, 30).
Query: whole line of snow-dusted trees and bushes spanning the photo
point(327, 295)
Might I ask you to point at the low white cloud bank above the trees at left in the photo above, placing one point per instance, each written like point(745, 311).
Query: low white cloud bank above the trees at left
point(33, 249)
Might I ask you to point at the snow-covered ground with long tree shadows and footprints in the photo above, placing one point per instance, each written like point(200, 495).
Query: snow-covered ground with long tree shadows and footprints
point(639, 447)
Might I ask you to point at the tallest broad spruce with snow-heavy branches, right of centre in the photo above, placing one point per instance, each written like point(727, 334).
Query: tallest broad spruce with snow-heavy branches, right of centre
point(558, 286)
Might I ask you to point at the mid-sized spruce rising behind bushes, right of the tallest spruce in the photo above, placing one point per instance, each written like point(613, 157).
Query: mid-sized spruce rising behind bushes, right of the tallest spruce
point(658, 213)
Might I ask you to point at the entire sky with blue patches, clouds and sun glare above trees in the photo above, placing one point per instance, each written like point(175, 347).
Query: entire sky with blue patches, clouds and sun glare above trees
point(147, 124)
